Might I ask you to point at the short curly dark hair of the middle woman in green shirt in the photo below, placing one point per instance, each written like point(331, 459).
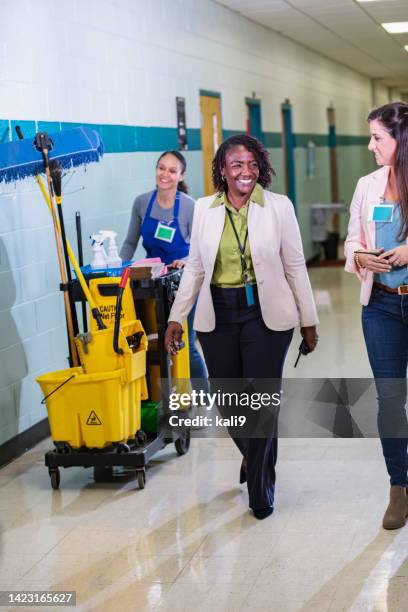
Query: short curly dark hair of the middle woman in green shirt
point(251, 144)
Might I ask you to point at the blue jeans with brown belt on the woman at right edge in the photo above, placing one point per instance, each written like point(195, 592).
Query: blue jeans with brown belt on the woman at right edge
point(385, 327)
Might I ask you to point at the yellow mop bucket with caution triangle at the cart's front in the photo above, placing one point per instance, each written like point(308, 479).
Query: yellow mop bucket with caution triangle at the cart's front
point(91, 410)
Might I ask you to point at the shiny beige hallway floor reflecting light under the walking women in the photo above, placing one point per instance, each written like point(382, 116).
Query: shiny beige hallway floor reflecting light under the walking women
point(188, 541)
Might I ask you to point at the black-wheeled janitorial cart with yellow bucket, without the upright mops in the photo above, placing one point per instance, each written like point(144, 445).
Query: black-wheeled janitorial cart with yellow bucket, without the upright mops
point(116, 404)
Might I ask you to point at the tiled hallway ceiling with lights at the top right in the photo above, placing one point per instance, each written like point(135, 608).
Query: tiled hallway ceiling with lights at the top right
point(346, 31)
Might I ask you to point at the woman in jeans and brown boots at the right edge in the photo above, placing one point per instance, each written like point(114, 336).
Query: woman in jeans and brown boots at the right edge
point(379, 223)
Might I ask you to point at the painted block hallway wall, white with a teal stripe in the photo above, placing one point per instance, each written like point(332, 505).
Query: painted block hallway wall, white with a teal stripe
point(118, 63)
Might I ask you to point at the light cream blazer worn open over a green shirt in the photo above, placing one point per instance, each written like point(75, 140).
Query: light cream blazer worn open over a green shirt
point(284, 290)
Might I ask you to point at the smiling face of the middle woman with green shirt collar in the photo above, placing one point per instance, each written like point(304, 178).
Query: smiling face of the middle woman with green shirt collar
point(241, 171)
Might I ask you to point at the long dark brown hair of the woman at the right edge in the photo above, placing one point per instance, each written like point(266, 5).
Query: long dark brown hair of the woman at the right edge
point(394, 118)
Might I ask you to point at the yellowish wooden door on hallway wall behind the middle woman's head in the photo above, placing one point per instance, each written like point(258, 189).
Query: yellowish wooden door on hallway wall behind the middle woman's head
point(211, 136)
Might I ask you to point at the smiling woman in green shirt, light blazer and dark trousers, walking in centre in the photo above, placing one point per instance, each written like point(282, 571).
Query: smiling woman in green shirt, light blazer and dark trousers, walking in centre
point(246, 262)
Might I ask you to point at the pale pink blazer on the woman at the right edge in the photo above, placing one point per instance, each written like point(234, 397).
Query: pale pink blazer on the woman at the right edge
point(361, 232)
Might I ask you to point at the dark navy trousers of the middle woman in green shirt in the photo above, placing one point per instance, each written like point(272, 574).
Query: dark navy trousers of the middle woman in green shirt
point(241, 346)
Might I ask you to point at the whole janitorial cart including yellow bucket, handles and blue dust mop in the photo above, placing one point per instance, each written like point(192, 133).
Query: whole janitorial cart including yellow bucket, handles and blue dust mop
point(110, 407)
